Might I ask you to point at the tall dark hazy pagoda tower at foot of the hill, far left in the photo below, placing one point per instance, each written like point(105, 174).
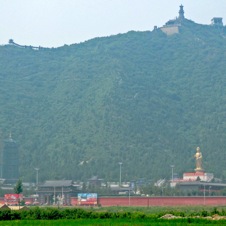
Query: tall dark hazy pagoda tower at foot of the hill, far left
point(10, 161)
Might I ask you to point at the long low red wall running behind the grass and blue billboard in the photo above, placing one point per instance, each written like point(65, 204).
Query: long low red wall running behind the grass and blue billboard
point(158, 201)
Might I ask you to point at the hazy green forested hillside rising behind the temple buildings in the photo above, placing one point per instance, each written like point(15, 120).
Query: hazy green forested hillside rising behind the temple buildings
point(141, 98)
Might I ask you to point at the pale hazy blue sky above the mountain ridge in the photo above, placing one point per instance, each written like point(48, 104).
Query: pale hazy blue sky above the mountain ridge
point(53, 23)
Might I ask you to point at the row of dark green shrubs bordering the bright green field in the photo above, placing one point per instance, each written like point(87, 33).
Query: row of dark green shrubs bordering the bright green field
point(78, 213)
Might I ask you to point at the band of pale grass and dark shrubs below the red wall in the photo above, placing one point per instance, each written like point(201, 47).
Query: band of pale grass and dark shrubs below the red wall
point(157, 213)
